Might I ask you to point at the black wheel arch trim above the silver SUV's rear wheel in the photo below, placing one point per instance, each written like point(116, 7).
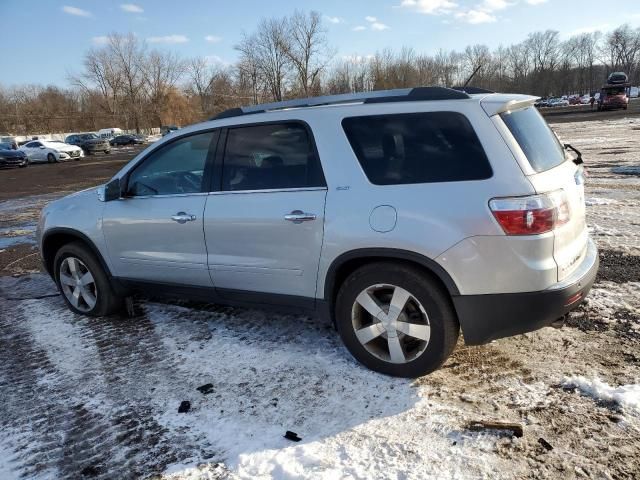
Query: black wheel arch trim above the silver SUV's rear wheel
point(387, 253)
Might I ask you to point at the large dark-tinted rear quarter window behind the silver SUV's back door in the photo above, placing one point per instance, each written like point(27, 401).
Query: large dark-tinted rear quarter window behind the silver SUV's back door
point(426, 147)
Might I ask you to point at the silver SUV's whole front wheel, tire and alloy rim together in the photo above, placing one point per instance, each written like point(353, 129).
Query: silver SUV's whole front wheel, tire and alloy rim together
point(83, 283)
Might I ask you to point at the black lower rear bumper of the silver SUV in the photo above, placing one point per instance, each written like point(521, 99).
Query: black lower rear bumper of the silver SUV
point(484, 318)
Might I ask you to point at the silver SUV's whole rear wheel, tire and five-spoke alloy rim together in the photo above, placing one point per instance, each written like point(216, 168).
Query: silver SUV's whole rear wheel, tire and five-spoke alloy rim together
point(396, 320)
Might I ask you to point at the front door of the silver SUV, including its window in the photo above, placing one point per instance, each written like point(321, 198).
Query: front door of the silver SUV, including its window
point(154, 233)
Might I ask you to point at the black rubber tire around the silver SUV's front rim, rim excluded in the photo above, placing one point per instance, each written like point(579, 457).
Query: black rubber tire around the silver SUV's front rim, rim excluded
point(107, 302)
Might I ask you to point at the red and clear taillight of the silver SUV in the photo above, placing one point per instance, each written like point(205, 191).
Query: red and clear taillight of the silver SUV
point(531, 215)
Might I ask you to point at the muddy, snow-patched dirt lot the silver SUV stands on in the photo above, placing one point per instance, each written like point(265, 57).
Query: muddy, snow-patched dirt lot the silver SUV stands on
point(98, 398)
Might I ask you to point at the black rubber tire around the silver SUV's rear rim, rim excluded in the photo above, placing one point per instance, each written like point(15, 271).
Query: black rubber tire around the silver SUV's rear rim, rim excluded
point(444, 326)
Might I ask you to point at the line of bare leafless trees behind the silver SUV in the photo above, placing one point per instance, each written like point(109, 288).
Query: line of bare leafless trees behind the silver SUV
point(125, 84)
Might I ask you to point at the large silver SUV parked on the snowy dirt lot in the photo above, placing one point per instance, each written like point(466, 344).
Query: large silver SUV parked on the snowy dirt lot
point(404, 215)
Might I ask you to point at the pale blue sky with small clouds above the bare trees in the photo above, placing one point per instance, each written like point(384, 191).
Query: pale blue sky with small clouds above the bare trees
point(44, 40)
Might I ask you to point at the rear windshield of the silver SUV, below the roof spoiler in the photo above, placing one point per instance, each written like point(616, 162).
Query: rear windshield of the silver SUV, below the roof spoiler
point(538, 142)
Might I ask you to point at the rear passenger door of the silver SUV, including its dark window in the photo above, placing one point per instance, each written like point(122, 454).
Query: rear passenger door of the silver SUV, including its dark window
point(264, 225)
